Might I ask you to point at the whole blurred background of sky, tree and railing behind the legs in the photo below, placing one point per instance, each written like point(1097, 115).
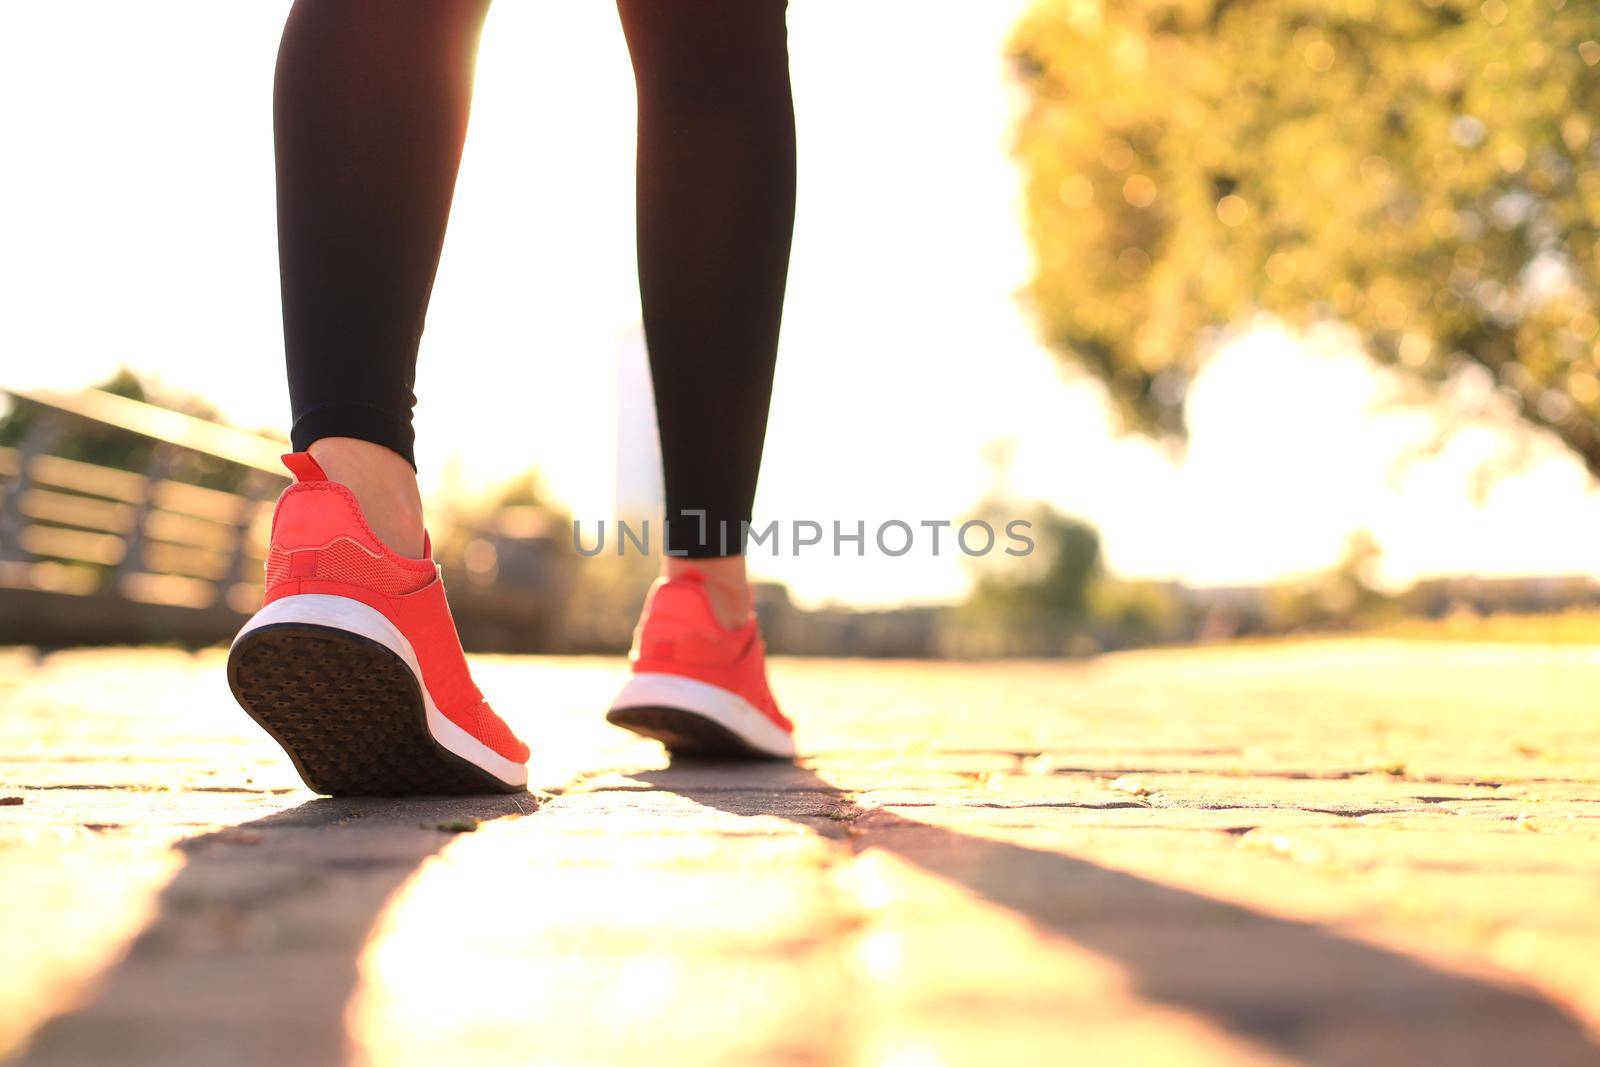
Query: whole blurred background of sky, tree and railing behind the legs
point(1270, 318)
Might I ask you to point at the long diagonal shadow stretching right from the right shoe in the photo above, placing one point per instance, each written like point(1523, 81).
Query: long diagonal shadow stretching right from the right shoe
point(1292, 986)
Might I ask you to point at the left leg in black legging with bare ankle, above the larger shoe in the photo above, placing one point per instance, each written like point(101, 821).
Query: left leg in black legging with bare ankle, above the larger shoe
point(370, 113)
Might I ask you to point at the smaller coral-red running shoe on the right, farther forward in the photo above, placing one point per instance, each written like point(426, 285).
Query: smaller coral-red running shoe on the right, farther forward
point(698, 687)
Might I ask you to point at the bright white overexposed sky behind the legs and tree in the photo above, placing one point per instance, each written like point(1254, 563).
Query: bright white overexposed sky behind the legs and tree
point(138, 230)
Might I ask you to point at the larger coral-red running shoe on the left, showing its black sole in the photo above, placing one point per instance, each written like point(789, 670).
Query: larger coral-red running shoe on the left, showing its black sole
point(354, 666)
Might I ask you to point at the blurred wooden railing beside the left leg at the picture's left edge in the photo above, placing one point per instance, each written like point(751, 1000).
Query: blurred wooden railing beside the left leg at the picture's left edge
point(118, 540)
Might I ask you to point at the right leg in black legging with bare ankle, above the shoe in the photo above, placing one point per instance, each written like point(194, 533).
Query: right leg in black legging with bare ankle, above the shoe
point(716, 217)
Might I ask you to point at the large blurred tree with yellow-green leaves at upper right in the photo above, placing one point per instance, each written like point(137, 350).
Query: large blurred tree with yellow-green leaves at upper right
point(1423, 170)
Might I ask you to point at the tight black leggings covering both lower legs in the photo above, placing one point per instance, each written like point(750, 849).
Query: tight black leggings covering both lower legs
point(370, 114)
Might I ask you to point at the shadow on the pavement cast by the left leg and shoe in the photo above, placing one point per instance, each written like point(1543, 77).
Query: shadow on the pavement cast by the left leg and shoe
point(254, 951)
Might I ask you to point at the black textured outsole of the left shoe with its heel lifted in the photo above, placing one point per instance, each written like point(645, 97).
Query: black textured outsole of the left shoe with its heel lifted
point(350, 714)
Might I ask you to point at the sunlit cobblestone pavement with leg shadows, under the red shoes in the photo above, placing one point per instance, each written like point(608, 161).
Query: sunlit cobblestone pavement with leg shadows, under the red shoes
point(1318, 853)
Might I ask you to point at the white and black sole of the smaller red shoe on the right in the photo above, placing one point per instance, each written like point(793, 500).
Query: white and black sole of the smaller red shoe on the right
point(698, 721)
